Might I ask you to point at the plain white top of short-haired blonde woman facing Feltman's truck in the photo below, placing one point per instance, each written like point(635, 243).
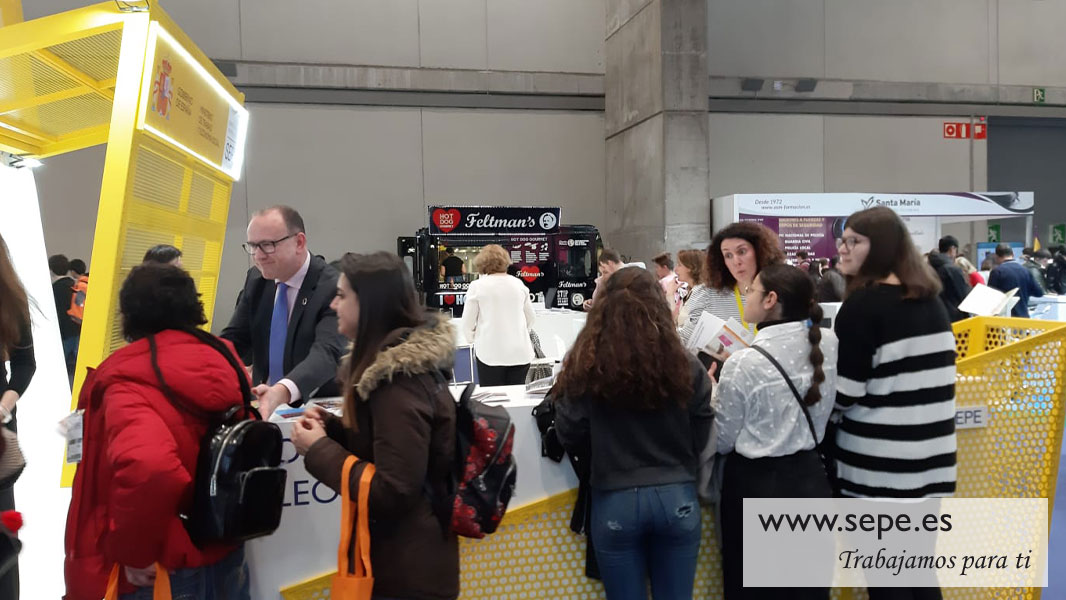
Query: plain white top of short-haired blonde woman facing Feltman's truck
point(497, 318)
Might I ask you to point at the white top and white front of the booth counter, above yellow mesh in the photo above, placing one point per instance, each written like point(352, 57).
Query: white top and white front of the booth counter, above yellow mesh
point(305, 545)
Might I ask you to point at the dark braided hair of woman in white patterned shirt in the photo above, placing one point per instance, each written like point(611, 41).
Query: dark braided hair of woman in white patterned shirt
point(796, 294)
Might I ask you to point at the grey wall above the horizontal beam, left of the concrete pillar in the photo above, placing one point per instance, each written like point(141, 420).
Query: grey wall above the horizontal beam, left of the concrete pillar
point(545, 36)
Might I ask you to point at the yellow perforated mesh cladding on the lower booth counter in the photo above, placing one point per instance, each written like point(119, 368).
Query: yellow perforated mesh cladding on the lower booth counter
point(1014, 367)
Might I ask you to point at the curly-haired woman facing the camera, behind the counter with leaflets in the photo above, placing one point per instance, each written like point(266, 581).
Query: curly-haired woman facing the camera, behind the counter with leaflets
point(735, 257)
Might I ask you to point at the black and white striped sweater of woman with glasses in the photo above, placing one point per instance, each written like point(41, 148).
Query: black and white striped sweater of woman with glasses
point(896, 386)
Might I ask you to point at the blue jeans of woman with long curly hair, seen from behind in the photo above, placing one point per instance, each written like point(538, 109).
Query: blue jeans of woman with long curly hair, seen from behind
point(648, 531)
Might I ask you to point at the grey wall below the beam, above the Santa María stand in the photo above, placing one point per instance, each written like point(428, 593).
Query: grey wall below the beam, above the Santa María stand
point(752, 154)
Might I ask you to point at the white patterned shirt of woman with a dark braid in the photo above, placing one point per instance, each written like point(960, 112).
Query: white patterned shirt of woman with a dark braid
point(755, 412)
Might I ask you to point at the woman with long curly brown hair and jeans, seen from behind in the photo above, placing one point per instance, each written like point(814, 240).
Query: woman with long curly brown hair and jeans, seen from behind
point(643, 424)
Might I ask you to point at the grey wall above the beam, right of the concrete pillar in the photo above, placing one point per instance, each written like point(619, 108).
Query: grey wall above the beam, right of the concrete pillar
point(991, 42)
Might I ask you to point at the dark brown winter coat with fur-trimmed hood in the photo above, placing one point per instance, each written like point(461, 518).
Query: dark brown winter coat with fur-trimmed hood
point(407, 428)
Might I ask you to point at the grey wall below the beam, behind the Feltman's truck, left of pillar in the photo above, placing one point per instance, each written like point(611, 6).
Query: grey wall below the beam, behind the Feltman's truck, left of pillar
point(363, 176)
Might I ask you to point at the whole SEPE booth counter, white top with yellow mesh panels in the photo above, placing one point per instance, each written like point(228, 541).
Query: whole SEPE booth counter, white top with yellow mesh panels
point(535, 555)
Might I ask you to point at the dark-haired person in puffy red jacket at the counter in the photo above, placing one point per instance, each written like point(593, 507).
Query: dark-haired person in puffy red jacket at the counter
point(140, 451)
